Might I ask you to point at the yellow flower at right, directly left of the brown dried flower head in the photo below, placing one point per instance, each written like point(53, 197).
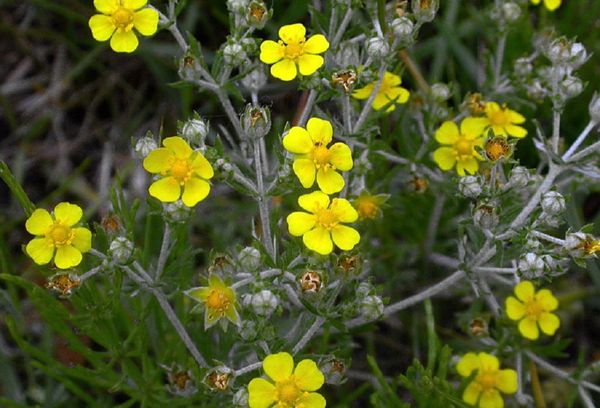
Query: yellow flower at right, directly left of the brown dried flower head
point(461, 145)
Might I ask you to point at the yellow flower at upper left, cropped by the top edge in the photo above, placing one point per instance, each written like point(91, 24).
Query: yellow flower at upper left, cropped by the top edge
point(118, 19)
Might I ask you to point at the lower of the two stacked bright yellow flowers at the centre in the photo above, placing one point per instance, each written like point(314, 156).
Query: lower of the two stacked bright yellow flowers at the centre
point(324, 222)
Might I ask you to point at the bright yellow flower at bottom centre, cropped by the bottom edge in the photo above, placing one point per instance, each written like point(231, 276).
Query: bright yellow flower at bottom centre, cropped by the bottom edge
point(289, 387)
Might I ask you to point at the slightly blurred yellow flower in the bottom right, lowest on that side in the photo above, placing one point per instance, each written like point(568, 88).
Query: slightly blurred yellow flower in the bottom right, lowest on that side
point(484, 391)
